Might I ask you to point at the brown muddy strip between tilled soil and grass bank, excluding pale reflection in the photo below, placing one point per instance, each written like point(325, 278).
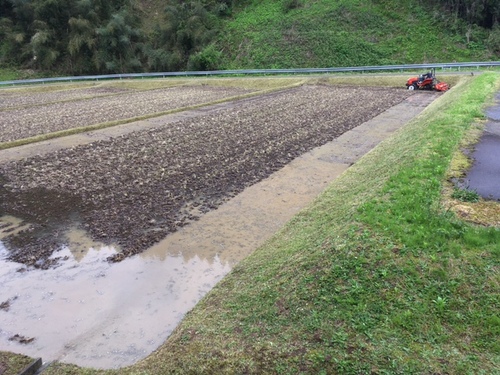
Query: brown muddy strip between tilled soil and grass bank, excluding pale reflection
point(246, 221)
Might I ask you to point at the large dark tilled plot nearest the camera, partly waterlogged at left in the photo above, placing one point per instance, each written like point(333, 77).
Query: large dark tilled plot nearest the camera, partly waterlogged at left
point(136, 189)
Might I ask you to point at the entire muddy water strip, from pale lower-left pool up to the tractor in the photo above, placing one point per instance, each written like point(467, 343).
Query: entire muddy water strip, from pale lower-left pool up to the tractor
point(93, 313)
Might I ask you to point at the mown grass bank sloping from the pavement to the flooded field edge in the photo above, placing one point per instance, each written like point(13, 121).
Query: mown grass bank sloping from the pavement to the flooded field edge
point(375, 277)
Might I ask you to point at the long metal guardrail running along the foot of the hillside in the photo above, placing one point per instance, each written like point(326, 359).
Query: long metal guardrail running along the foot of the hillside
point(362, 69)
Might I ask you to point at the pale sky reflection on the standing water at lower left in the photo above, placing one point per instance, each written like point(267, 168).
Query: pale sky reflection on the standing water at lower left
point(99, 314)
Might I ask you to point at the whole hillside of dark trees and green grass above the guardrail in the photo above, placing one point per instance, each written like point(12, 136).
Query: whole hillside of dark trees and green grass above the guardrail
point(93, 36)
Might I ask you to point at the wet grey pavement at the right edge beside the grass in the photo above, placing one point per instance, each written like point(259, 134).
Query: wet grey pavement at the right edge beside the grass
point(484, 175)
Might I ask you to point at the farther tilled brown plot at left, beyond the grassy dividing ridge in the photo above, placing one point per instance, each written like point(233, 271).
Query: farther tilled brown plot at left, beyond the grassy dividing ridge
point(28, 121)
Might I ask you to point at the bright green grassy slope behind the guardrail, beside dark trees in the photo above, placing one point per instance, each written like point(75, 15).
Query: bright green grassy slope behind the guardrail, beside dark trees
point(326, 33)
